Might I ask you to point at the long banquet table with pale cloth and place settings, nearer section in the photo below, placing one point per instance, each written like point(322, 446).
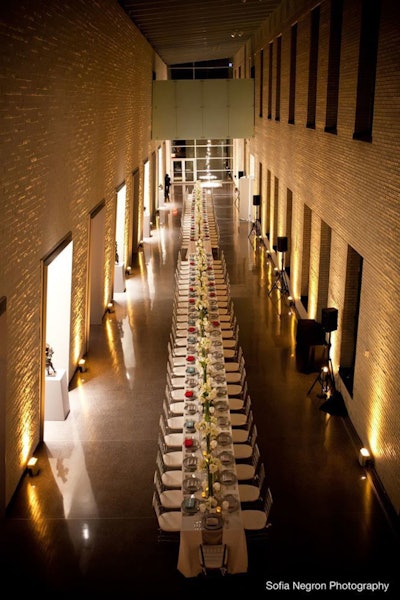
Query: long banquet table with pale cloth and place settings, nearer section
point(194, 526)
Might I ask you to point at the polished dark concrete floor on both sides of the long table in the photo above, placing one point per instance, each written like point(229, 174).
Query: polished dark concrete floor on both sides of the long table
point(85, 526)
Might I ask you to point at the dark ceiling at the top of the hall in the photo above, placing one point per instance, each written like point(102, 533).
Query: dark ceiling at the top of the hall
point(186, 31)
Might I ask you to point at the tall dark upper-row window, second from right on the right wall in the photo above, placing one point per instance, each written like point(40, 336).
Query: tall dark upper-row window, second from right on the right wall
point(332, 93)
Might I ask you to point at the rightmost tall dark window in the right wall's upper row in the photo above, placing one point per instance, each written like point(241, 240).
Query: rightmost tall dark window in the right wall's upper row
point(367, 70)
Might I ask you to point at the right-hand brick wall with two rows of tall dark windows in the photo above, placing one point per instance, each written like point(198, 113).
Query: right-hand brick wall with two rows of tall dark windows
point(353, 187)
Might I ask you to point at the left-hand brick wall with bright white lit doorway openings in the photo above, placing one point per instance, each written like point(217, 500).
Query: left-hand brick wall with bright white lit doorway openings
point(75, 80)
